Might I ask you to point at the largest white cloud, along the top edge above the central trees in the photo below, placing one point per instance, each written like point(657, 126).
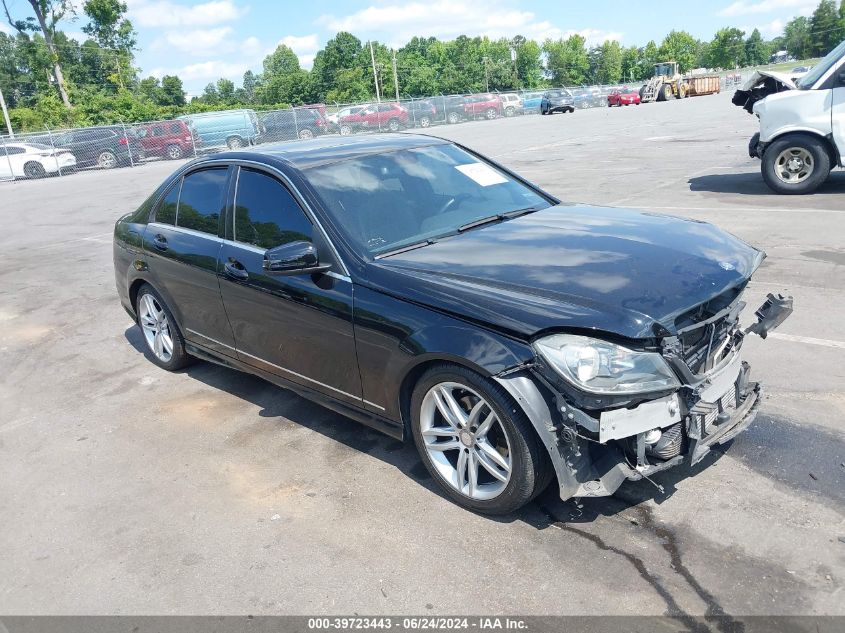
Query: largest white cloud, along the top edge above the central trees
point(398, 23)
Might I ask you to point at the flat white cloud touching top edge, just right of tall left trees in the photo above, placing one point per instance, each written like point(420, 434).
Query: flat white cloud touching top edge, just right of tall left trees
point(163, 13)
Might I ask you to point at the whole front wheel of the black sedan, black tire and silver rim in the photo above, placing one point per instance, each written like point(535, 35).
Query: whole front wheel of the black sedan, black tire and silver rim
point(476, 441)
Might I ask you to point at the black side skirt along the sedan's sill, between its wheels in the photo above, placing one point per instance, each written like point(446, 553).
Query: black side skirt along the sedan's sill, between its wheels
point(384, 425)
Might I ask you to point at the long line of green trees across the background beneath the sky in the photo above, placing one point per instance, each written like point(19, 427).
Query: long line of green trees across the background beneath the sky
point(51, 79)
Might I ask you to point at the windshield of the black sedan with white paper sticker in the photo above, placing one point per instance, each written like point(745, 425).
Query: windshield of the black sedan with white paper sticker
point(383, 202)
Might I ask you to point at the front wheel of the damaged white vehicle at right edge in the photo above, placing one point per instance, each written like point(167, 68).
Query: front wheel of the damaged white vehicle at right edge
point(796, 164)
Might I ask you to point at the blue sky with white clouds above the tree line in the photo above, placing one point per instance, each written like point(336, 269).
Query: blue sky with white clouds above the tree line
point(202, 40)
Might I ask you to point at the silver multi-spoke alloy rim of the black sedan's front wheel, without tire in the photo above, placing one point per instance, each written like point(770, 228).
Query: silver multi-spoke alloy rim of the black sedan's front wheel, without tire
point(465, 441)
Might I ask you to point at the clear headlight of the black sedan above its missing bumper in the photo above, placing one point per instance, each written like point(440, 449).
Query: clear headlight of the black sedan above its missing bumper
point(600, 367)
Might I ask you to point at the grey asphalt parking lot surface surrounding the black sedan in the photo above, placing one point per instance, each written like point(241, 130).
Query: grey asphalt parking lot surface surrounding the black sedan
point(126, 489)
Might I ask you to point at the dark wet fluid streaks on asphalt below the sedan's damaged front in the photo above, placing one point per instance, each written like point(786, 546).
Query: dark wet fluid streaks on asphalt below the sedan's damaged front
point(714, 612)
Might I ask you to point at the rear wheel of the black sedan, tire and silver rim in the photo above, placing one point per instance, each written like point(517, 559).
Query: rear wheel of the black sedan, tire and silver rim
point(165, 345)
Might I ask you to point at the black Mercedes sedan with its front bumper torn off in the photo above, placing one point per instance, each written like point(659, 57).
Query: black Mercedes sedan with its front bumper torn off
point(423, 290)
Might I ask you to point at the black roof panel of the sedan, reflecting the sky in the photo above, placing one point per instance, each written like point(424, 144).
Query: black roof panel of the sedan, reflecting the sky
point(330, 149)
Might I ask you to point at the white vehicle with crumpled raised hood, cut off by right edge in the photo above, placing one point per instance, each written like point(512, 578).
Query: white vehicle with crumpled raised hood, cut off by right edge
point(802, 124)
